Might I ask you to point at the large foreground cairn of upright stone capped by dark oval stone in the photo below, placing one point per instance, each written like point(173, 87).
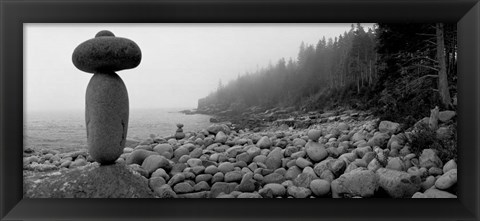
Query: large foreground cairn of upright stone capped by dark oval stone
point(107, 108)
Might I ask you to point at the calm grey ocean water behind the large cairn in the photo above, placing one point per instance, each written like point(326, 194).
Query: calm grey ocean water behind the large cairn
point(66, 131)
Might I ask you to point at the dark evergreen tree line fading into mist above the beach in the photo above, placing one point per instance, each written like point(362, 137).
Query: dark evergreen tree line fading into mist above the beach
point(387, 68)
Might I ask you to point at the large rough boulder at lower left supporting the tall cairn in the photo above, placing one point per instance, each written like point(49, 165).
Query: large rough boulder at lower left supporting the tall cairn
point(91, 181)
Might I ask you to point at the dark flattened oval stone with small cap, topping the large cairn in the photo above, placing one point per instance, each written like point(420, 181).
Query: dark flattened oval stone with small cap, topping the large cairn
point(106, 53)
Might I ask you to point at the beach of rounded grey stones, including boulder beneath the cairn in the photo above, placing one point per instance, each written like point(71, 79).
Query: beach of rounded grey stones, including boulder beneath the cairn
point(337, 154)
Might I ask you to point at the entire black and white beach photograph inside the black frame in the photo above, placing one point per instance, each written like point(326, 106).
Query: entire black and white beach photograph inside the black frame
point(240, 110)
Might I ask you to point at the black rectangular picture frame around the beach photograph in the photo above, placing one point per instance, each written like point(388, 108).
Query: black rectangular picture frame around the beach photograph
point(15, 13)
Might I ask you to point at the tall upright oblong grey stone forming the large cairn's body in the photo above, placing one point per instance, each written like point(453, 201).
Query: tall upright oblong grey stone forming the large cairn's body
point(106, 116)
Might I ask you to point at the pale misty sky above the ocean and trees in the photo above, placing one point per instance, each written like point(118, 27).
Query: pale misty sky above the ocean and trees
point(180, 62)
